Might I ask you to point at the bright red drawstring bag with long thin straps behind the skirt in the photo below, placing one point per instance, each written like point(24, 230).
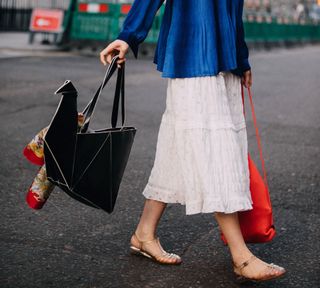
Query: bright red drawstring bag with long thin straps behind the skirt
point(256, 224)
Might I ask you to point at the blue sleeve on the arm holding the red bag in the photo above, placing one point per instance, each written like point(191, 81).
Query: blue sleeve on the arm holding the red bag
point(242, 49)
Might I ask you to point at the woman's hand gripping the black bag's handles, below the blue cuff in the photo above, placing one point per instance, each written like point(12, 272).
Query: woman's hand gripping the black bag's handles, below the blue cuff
point(114, 48)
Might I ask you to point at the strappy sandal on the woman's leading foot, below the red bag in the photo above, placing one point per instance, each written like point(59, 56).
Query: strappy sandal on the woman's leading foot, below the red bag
point(275, 271)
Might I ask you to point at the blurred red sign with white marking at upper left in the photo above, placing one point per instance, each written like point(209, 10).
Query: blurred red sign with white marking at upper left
point(46, 20)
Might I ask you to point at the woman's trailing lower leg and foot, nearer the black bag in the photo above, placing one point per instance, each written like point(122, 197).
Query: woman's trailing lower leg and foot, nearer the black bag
point(146, 232)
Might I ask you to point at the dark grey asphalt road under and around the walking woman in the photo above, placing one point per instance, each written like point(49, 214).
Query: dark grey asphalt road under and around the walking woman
point(67, 244)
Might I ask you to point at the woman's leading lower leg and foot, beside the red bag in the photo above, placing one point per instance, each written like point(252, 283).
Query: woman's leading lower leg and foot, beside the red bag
point(229, 224)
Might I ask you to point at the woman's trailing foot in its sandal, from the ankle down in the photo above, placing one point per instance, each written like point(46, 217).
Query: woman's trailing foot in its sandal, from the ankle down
point(153, 249)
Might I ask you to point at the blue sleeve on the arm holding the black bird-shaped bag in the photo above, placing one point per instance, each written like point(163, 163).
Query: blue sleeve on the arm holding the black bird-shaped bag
point(138, 22)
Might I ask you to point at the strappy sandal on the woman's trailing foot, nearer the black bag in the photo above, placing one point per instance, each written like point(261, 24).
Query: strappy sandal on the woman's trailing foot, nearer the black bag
point(159, 257)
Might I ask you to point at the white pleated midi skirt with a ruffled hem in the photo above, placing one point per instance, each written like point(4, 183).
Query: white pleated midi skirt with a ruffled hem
point(201, 158)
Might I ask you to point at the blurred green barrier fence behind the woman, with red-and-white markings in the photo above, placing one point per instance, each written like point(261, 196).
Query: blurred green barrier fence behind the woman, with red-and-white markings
point(106, 26)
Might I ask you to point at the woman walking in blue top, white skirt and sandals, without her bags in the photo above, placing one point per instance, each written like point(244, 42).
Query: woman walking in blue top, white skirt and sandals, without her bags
point(201, 155)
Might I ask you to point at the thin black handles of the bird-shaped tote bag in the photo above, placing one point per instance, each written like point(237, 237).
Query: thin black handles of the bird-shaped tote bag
point(89, 109)
